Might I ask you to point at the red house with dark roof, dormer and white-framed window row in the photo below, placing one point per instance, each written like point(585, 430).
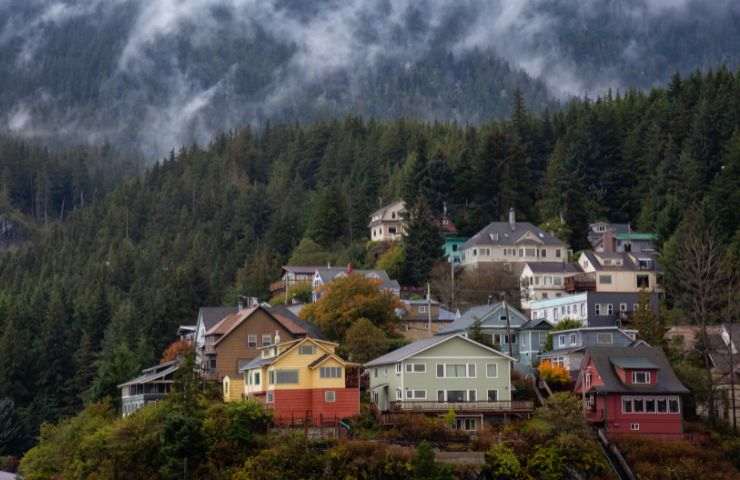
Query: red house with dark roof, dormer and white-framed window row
point(631, 390)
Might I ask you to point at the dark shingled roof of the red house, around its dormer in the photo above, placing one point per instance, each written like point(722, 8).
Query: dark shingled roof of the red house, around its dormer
point(603, 358)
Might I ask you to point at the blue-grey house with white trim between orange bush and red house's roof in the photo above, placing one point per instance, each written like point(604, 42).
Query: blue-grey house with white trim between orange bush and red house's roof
point(569, 346)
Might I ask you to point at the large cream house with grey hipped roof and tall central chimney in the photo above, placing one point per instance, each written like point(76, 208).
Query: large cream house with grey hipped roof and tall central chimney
point(512, 244)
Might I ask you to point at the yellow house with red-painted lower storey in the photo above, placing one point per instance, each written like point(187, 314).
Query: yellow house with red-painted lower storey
point(302, 379)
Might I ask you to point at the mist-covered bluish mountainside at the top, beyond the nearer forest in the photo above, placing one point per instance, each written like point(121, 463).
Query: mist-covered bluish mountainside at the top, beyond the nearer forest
point(155, 75)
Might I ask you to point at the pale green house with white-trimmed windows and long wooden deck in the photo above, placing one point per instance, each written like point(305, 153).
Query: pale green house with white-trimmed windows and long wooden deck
point(443, 373)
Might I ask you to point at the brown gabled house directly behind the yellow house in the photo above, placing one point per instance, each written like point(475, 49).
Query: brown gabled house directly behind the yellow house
point(236, 339)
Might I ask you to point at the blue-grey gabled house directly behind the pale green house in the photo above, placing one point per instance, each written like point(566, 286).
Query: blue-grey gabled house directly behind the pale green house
point(493, 322)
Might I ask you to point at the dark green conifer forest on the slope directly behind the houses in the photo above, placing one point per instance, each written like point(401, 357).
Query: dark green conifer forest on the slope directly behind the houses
point(97, 296)
